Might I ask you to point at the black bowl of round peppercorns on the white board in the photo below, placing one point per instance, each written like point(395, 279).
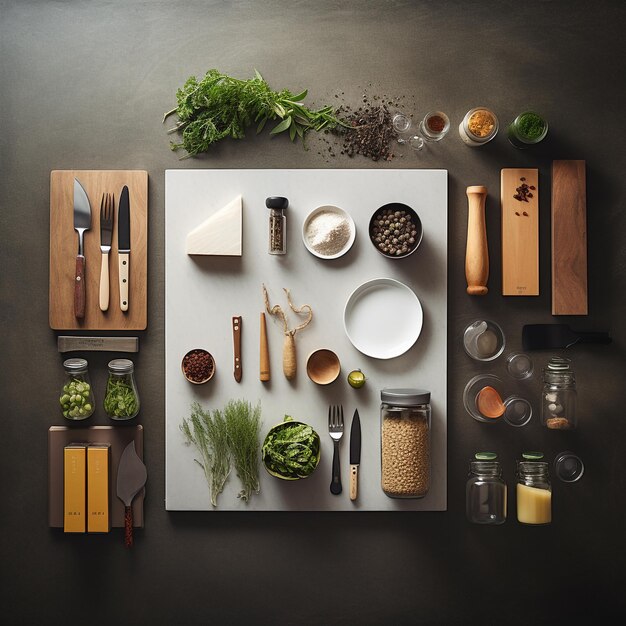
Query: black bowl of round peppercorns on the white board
point(395, 230)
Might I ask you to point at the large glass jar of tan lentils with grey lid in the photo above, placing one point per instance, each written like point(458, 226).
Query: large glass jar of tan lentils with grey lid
point(405, 419)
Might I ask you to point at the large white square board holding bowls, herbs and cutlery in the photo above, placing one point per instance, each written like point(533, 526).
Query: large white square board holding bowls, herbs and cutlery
point(203, 293)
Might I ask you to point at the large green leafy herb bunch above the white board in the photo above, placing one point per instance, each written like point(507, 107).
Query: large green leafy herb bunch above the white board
point(219, 106)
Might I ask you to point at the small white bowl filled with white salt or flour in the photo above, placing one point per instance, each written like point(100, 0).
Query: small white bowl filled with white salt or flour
point(328, 232)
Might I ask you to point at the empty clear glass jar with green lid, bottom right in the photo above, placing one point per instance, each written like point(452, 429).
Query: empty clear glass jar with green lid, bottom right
point(485, 491)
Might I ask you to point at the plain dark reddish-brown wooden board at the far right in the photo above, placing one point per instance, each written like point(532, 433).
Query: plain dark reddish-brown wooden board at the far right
point(569, 238)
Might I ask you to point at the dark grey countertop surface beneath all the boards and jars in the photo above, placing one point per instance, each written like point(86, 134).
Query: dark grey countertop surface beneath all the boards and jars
point(84, 86)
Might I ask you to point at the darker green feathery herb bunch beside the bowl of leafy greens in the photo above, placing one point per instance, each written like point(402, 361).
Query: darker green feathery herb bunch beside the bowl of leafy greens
point(243, 425)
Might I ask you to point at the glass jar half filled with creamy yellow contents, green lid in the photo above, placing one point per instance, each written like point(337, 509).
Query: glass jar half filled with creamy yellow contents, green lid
point(534, 493)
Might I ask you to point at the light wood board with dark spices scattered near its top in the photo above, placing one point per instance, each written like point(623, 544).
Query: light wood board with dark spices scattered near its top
point(520, 232)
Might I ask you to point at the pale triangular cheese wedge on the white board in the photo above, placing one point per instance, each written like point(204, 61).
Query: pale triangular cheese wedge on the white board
point(219, 234)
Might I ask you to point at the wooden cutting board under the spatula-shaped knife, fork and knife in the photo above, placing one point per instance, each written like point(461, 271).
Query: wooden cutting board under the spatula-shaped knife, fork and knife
point(64, 248)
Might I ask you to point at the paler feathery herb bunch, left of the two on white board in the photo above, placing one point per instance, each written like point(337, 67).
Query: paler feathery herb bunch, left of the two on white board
point(208, 434)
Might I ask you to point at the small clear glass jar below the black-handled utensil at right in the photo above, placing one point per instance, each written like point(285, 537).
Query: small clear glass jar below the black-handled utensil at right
point(558, 397)
